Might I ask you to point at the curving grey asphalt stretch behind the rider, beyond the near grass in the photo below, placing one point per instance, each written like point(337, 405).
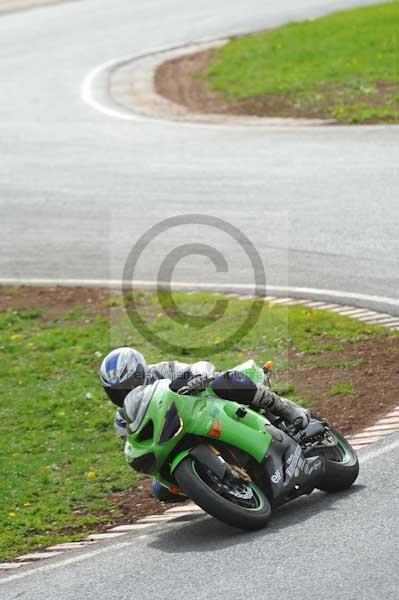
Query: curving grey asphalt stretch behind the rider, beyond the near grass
point(78, 188)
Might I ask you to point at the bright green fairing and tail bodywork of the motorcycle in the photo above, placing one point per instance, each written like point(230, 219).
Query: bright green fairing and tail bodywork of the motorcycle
point(197, 415)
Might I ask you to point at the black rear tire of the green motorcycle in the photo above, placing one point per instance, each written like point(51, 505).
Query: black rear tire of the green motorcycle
point(340, 475)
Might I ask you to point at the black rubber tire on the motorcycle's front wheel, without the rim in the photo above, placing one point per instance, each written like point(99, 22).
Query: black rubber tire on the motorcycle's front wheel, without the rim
point(192, 478)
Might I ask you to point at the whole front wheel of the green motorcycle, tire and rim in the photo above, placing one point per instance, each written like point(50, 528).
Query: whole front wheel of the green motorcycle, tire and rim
point(240, 504)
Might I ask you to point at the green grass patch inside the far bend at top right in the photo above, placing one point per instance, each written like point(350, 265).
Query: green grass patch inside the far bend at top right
point(345, 65)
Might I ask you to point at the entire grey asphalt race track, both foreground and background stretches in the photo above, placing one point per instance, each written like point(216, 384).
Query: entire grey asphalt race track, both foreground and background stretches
point(321, 206)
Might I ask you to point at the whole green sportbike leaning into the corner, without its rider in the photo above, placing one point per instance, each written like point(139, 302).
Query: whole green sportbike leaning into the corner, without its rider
point(230, 460)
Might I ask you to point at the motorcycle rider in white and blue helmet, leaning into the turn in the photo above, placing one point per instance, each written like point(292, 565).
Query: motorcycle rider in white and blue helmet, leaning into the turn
point(125, 375)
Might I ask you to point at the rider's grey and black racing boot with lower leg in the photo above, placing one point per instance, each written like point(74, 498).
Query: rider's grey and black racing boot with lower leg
point(290, 412)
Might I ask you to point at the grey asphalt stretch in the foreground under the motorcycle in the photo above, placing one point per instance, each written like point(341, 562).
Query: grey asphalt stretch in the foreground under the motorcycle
point(323, 546)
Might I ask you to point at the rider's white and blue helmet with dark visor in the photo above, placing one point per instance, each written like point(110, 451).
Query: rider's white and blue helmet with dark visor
point(122, 370)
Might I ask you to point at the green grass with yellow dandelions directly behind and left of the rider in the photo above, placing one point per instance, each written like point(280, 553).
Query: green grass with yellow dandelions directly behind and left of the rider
point(58, 451)
